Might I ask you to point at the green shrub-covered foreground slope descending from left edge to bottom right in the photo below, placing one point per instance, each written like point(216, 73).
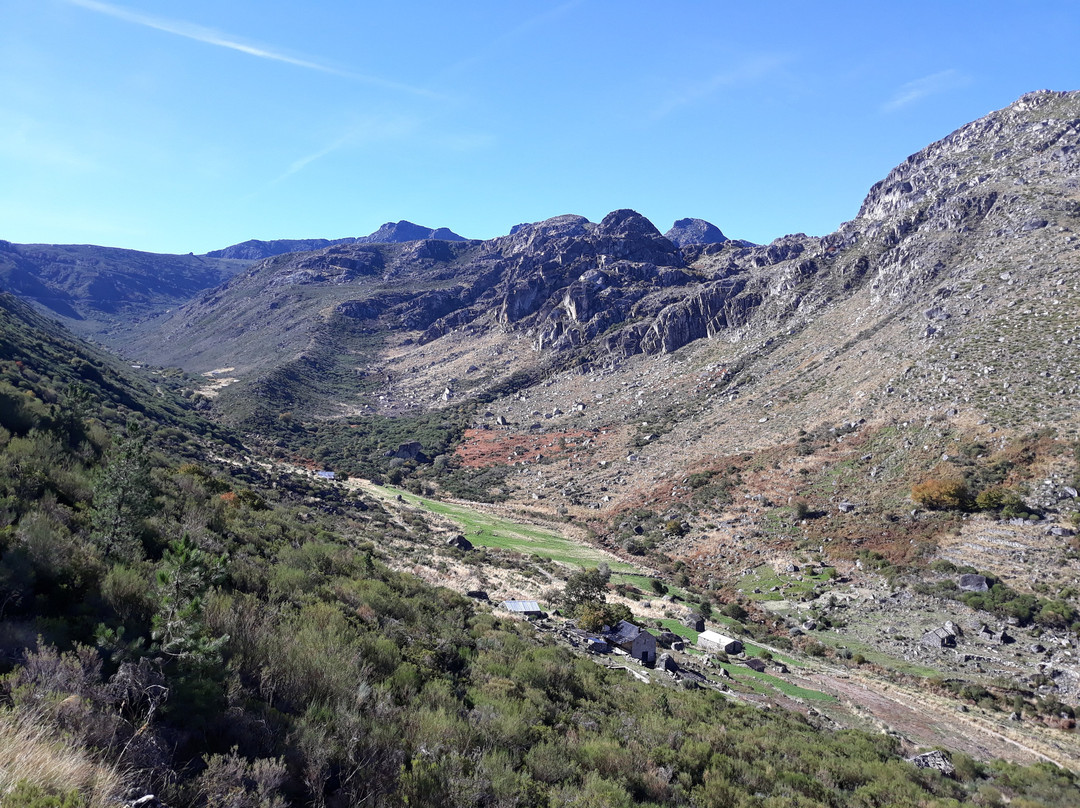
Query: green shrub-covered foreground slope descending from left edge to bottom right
point(220, 635)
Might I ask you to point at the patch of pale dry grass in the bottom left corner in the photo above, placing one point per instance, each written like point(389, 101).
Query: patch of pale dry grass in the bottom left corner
point(29, 753)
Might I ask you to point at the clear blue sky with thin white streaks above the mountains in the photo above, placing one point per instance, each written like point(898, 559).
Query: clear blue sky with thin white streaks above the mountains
point(188, 127)
